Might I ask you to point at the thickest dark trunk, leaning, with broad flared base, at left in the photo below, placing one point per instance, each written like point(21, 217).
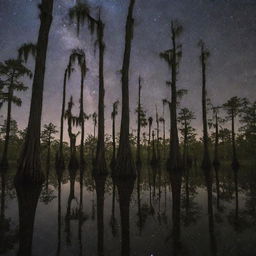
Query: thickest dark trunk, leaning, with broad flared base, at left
point(30, 166)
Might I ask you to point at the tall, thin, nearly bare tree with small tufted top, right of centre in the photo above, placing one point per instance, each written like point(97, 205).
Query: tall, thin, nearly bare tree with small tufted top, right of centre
point(204, 55)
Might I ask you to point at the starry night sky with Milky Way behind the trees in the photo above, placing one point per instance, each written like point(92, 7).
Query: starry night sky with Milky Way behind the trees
point(228, 28)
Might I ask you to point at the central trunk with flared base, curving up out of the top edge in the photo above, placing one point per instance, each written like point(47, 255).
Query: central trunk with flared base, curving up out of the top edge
point(125, 166)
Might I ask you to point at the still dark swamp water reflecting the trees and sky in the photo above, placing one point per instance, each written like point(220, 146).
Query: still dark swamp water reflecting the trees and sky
point(82, 217)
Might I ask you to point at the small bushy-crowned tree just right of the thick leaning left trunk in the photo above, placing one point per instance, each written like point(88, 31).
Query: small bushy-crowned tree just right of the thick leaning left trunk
point(47, 136)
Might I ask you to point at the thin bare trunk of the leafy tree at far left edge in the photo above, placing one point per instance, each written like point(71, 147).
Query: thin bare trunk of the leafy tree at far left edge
point(4, 162)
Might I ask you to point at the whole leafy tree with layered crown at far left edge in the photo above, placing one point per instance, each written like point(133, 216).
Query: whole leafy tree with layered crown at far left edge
point(11, 71)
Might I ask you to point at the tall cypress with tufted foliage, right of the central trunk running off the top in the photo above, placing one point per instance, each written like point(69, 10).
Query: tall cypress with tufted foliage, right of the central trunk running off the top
point(173, 57)
